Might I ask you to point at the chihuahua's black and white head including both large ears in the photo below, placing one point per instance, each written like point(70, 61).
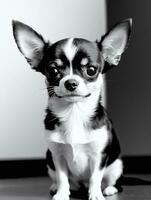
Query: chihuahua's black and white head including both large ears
point(73, 67)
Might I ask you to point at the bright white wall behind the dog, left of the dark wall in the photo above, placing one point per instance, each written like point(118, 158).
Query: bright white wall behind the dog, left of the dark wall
point(22, 94)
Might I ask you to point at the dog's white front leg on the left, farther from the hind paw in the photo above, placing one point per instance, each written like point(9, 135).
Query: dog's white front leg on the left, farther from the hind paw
point(63, 191)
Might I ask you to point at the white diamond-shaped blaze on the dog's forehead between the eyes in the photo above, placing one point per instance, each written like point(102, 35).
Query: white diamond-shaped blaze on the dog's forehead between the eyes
point(70, 49)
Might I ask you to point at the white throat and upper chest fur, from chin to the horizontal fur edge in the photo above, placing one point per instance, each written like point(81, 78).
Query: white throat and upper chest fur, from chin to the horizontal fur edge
point(75, 117)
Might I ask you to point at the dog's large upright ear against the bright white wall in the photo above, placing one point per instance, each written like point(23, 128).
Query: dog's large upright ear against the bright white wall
point(29, 42)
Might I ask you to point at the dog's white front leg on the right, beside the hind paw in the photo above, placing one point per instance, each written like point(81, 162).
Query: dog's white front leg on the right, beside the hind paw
point(95, 180)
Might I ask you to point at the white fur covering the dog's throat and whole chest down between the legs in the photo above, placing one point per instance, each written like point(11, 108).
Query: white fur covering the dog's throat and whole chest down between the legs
point(73, 139)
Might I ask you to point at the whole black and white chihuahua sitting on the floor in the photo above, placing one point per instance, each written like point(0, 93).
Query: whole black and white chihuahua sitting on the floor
point(80, 136)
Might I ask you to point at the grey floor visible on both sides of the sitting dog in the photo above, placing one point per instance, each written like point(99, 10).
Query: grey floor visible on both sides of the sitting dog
point(37, 189)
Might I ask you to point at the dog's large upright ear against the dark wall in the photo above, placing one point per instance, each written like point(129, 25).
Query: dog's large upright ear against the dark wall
point(114, 43)
